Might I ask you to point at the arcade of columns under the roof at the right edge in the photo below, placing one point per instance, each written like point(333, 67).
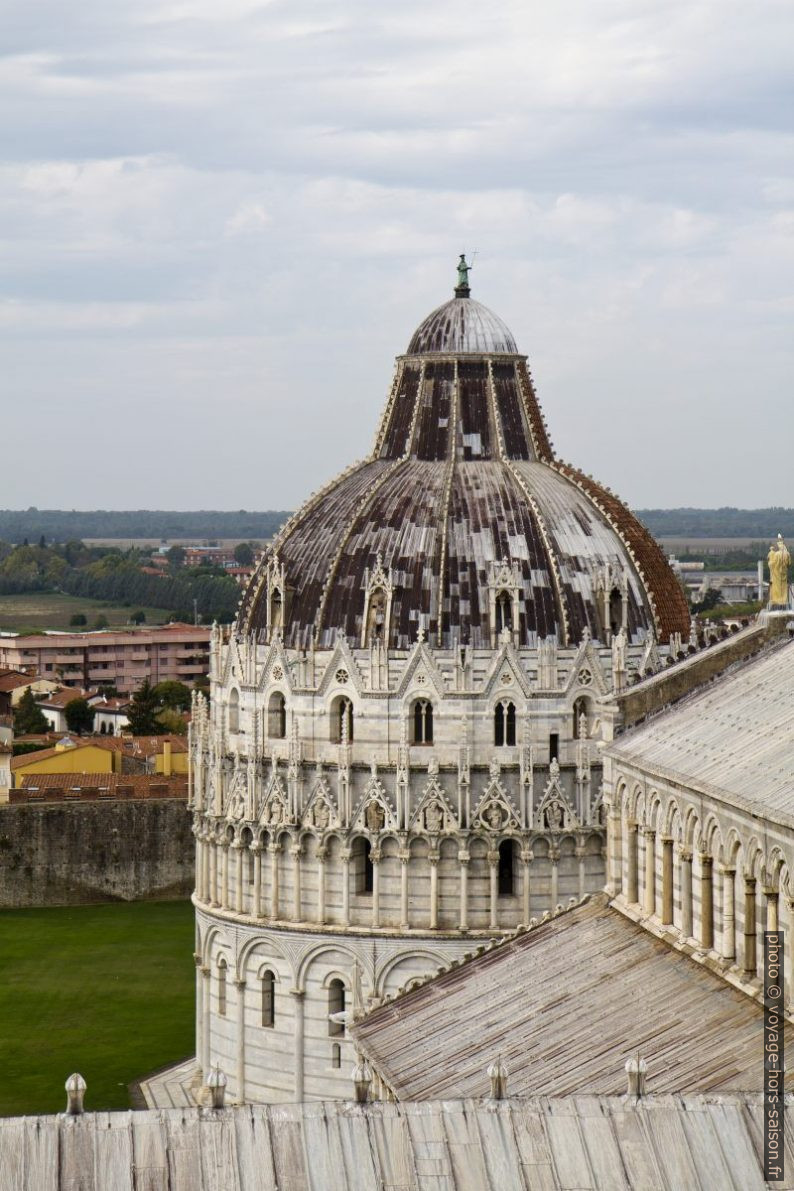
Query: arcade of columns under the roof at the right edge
point(698, 871)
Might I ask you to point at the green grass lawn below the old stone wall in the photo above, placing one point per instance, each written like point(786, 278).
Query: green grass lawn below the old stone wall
point(105, 990)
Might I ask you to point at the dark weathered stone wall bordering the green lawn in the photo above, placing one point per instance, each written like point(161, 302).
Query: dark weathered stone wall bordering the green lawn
point(55, 855)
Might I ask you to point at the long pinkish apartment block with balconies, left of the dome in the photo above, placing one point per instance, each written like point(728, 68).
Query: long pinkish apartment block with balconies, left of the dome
point(120, 659)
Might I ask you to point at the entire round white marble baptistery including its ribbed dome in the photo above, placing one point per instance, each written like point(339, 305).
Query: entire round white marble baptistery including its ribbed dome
point(402, 754)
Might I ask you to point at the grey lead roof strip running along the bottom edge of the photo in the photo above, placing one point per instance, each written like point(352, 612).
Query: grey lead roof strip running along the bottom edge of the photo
point(668, 1144)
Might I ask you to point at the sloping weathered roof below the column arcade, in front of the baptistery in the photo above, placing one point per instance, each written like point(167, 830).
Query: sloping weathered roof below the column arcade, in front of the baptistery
point(565, 1006)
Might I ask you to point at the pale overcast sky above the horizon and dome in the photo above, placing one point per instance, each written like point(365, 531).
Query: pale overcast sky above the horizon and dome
point(222, 220)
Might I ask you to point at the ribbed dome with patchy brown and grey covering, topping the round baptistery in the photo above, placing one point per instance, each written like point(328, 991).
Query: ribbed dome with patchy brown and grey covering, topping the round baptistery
point(462, 497)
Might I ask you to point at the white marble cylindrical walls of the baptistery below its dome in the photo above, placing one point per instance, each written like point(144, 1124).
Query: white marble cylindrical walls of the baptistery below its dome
point(328, 835)
